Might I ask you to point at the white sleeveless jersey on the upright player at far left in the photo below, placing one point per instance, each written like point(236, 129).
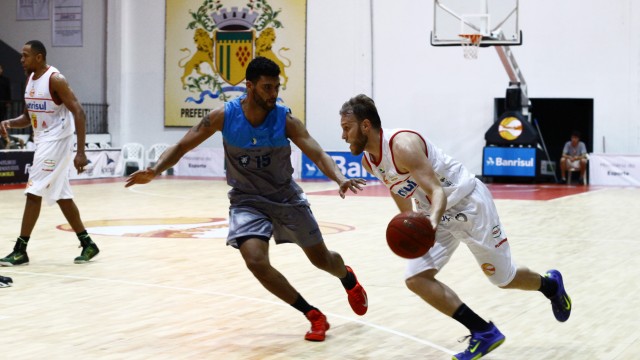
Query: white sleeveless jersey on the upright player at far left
point(49, 120)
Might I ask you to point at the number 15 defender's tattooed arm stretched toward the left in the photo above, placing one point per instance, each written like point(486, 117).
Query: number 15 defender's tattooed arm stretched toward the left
point(208, 126)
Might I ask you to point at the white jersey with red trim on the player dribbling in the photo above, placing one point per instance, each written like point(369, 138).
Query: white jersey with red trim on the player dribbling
point(456, 181)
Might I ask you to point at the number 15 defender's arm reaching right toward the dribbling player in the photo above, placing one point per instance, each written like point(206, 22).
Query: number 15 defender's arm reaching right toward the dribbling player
point(310, 147)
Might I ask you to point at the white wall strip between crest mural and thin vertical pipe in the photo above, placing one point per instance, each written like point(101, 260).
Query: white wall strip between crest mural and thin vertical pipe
point(339, 64)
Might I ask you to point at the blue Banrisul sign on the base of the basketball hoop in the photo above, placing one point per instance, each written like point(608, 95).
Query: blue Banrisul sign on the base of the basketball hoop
point(508, 161)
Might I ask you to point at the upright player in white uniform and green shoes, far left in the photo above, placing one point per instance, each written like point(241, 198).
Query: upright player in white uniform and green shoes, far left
point(54, 112)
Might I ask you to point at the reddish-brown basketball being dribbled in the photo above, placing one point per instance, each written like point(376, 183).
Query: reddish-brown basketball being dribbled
point(410, 235)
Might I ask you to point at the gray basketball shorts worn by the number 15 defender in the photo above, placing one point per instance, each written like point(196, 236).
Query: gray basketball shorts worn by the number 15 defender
point(287, 223)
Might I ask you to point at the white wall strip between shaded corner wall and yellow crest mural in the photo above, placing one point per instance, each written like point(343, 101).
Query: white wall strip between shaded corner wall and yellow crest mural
point(135, 69)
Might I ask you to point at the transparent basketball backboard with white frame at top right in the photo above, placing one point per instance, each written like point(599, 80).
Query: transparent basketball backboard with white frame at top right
point(495, 20)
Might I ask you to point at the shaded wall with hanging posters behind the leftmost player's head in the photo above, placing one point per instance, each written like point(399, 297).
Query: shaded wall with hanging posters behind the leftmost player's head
point(82, 66)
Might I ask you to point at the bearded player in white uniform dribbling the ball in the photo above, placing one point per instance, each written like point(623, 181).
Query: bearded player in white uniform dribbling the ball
point(460, 208)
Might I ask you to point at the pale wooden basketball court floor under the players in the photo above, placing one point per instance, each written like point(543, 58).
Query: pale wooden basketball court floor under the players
point(165, 286)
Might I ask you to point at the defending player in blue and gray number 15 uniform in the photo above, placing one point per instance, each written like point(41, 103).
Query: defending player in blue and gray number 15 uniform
point(265, 200)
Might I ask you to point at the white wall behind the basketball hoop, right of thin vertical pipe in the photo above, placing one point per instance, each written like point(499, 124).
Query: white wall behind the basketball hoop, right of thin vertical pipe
point(571, 49)
